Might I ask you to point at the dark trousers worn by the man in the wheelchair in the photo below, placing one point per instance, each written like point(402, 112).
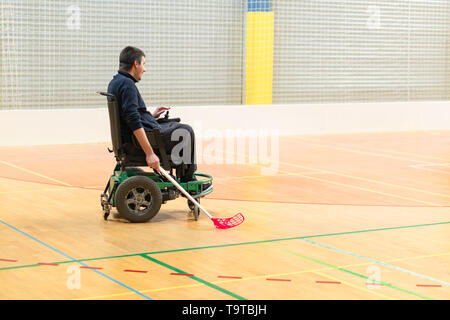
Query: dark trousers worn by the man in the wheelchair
point(179, 140)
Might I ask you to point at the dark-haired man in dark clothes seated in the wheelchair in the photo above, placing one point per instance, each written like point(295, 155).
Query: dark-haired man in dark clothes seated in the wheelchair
point(135, 120)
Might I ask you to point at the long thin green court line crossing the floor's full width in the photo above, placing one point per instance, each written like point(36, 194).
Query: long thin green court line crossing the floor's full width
point(232, 244)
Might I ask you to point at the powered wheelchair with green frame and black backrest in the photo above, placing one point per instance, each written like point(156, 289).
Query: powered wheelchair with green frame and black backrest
point(138, 194)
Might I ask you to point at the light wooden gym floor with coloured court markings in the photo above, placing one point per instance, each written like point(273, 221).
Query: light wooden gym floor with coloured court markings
point(350, 216)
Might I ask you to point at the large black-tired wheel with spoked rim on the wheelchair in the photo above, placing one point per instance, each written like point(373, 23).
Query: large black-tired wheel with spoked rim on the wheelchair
point(138, 199)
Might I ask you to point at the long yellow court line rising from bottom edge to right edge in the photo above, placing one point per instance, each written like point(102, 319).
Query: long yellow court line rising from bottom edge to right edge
point(260, 277)
